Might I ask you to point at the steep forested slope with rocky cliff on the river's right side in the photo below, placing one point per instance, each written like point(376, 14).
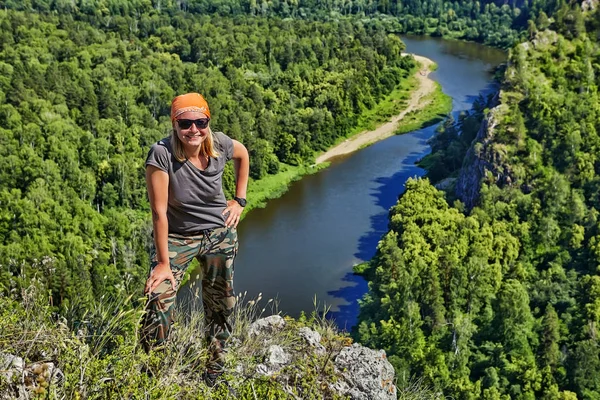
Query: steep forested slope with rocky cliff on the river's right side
point(503, 301)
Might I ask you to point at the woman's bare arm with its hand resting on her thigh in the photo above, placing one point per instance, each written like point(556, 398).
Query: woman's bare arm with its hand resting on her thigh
point(157, 182)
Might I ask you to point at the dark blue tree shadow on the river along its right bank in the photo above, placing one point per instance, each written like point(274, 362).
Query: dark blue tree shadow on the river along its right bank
point(385, 195)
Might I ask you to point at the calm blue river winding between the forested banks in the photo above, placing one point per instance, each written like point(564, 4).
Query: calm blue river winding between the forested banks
point(303, 245)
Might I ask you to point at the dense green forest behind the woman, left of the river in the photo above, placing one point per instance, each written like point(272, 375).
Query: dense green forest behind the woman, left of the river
point(80, 105)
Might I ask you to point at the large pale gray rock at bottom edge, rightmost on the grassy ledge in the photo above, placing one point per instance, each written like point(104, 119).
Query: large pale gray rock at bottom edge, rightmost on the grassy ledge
point(367, 373)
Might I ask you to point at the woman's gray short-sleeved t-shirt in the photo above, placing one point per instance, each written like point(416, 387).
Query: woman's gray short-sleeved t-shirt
point(196, 198)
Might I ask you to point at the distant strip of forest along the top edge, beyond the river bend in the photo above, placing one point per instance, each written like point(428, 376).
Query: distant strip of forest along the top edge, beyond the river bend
point(494, 22)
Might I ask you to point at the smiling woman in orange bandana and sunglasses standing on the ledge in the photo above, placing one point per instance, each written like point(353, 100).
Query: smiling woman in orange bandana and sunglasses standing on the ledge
point(191, 218)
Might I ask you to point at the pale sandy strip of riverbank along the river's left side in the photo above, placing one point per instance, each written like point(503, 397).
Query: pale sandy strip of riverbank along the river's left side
point(417, 101)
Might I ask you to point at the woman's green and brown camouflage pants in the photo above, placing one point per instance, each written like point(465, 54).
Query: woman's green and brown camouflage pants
point(215, 250)
